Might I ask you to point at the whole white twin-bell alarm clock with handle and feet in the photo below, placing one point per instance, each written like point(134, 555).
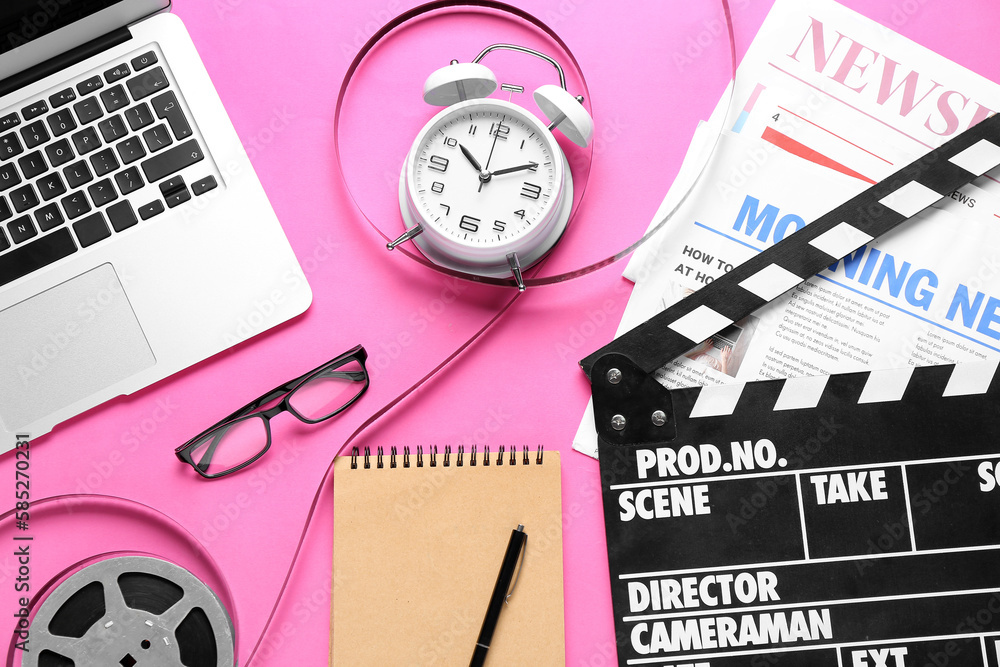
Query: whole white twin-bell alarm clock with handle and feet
point(485, 188)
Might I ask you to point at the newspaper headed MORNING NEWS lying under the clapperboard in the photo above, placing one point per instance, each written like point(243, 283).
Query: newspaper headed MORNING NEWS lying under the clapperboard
point(826, 103)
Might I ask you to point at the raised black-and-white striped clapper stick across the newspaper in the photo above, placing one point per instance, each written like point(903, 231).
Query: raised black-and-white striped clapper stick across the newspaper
point(808, 251)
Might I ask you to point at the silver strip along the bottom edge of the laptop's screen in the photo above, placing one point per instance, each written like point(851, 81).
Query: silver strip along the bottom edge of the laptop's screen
point(48, 46)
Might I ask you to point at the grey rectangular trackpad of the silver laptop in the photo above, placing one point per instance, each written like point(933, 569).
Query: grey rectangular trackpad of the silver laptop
point(64, 344)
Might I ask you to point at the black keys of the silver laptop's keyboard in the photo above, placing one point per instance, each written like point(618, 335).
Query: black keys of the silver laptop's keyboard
point(75, 166)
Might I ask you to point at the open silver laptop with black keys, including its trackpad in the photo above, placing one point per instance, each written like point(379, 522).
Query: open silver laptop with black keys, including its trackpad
point(135, 238)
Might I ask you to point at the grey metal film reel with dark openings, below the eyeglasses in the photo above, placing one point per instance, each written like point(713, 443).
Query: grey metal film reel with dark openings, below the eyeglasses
point(131, 611)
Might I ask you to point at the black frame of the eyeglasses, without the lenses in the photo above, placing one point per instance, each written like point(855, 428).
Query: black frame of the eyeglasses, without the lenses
point(249, 411)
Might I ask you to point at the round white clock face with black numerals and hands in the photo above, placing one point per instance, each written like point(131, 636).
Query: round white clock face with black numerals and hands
point(485, 175)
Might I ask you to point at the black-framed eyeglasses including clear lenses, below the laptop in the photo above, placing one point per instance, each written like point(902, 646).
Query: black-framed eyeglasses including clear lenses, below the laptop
point(241, 438)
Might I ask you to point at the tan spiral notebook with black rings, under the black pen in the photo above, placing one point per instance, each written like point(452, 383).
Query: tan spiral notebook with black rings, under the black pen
point(417, 543)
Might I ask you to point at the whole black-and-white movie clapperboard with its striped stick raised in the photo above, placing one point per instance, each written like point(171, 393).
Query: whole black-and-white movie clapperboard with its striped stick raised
point(849, 520)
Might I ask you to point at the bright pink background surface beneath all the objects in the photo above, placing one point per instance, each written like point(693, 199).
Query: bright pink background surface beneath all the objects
point(278, 65)
